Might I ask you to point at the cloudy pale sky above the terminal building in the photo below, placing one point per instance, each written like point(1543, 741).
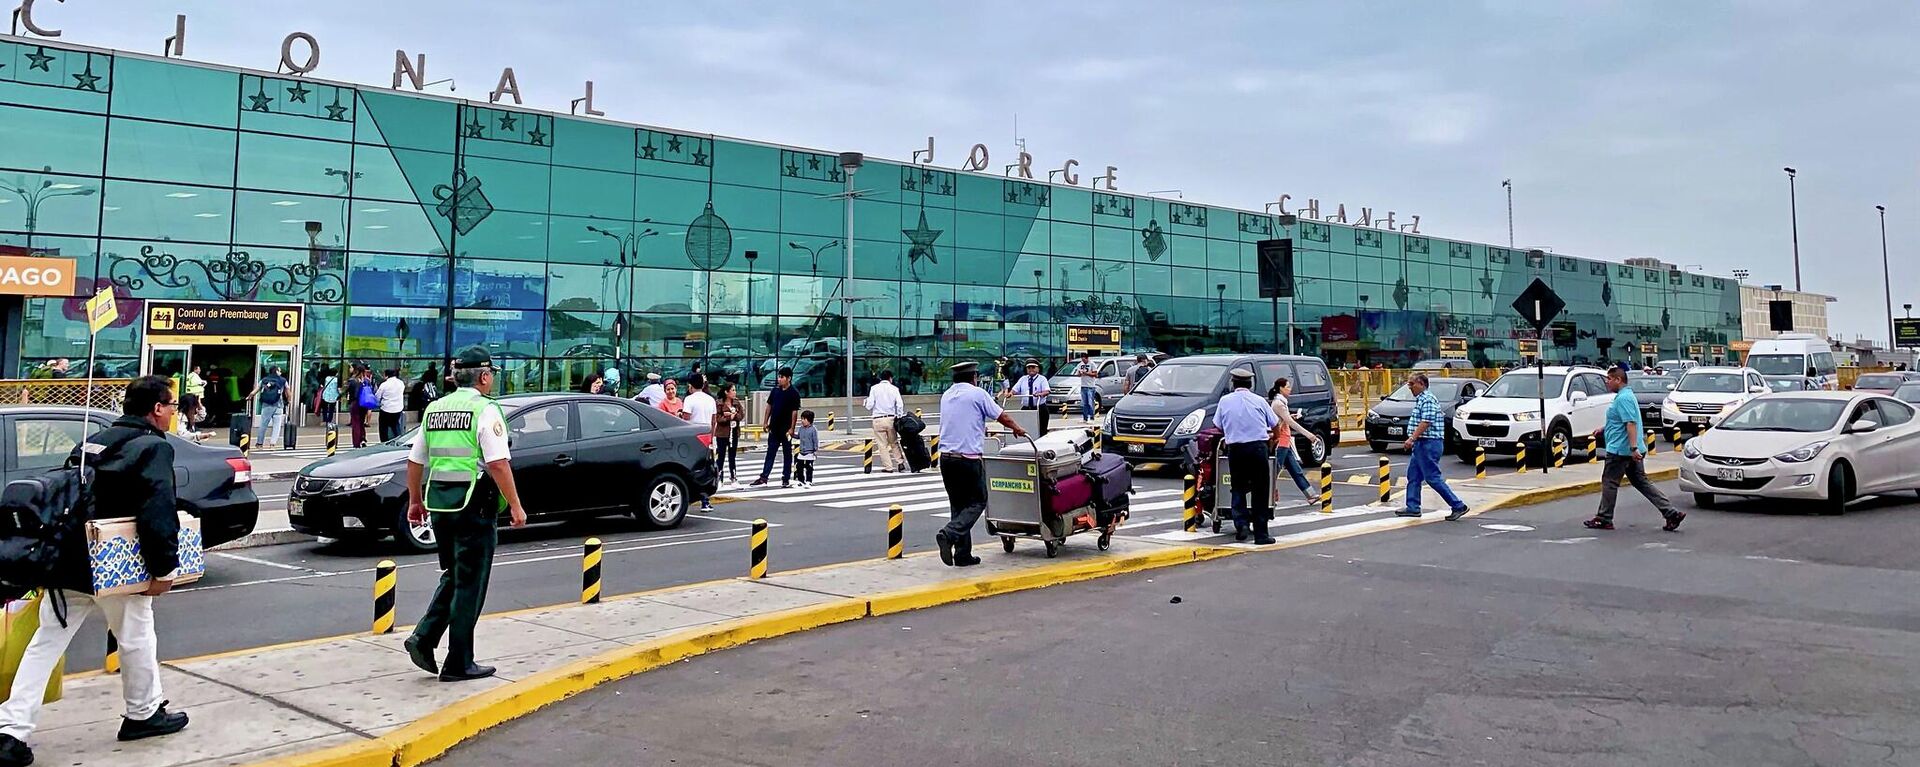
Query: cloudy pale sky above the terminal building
point(1629, 128)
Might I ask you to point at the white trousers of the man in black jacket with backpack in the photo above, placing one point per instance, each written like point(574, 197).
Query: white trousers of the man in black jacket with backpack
point(132, 618)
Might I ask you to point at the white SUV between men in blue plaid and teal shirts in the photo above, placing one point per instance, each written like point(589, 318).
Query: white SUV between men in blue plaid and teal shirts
point(1510, 412)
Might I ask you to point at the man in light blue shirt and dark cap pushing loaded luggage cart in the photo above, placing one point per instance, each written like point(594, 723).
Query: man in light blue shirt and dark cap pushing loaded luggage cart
point(965, 414)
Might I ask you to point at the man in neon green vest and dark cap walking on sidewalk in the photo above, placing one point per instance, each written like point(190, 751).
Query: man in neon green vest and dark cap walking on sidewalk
point(462, 478)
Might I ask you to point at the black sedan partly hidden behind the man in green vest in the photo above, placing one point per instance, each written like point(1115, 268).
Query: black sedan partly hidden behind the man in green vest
point(573, 457)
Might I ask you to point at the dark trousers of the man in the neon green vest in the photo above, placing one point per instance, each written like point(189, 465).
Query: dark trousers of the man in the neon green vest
point(466, 541)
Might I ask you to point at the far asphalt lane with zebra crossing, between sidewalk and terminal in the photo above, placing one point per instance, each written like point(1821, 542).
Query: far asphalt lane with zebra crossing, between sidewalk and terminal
point(276, 595)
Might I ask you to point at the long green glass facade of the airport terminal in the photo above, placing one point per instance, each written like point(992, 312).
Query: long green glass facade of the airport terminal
point(170, 180)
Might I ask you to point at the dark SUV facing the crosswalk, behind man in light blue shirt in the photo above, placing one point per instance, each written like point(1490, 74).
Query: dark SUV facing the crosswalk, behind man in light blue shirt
point(1178, 401)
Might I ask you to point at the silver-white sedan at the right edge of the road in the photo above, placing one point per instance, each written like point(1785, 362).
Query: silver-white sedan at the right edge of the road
point(1817, 447)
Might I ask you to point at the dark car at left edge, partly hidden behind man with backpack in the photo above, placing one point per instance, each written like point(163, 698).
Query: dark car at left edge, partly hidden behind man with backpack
point(212, 482)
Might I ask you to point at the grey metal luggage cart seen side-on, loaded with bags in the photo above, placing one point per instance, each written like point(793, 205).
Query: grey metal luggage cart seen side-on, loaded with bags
point(1019, 483)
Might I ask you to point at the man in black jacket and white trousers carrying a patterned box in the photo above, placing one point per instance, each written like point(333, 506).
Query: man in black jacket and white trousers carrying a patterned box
point(133, 478)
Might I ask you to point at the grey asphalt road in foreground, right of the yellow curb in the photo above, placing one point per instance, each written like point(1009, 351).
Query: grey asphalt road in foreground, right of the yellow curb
point(1752, 637)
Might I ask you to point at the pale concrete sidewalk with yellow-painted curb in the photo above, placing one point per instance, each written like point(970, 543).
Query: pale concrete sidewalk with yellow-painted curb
point(362, 703)
